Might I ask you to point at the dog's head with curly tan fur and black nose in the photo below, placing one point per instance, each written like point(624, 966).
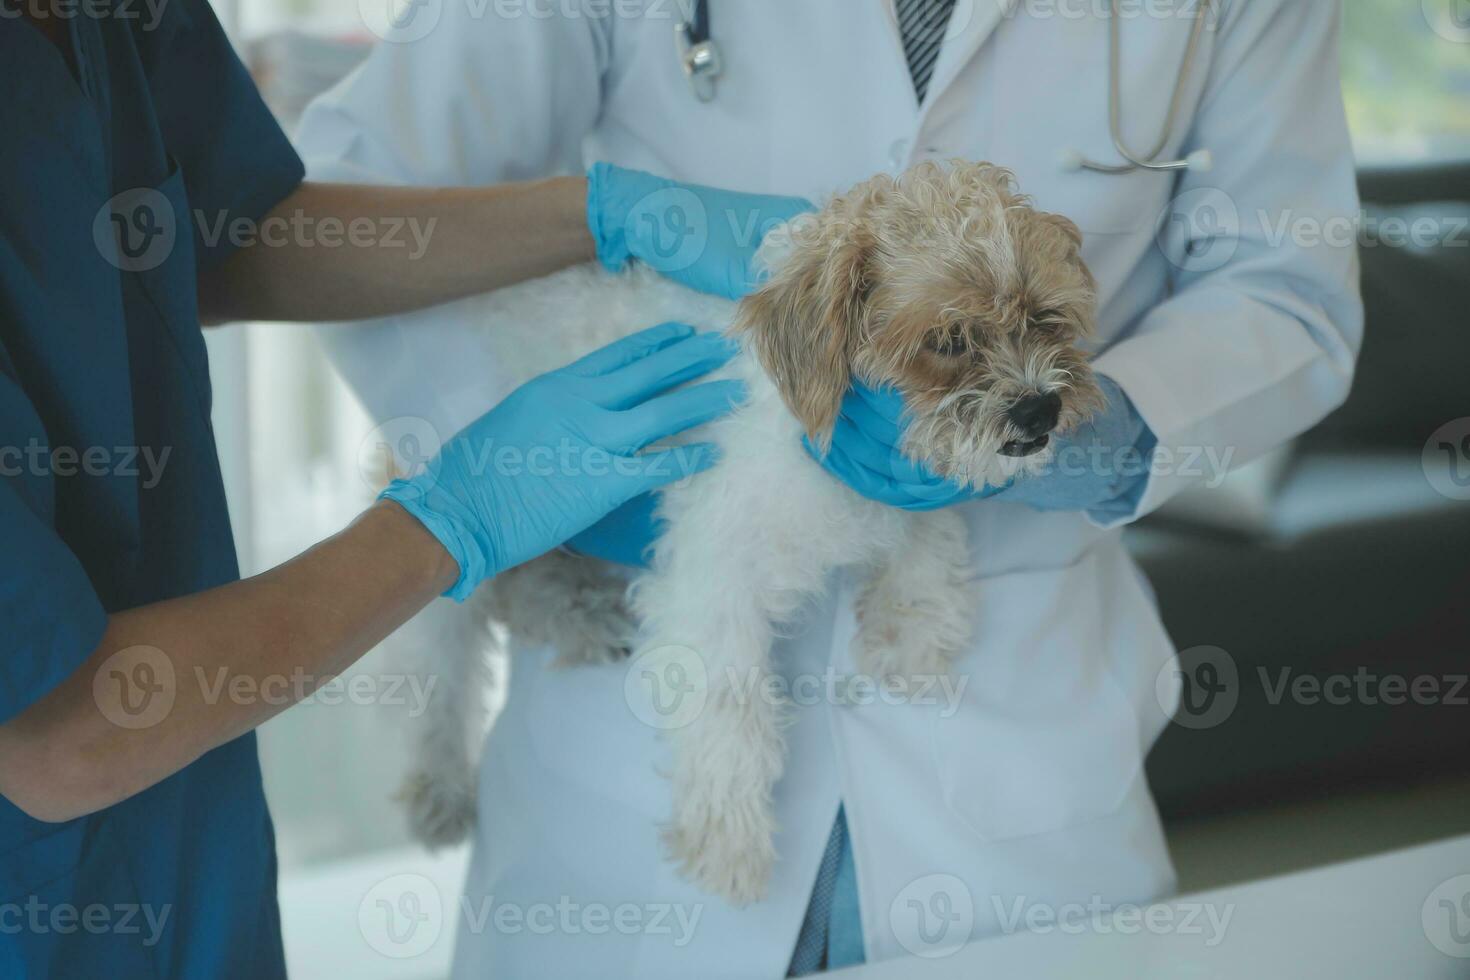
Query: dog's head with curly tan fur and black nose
point(950, 287)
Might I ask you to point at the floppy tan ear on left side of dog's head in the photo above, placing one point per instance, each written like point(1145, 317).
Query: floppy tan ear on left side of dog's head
point(806, 321)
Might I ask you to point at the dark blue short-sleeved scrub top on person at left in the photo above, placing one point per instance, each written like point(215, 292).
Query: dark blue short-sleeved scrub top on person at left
point(102, 353)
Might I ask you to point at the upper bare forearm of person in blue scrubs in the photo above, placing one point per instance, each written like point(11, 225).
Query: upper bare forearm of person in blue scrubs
point(342, 252)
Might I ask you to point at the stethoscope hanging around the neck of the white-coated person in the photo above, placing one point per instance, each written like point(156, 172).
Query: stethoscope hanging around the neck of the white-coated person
point(703, 65)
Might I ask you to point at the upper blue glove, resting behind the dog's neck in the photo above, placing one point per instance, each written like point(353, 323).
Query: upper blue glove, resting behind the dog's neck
point(698, 236)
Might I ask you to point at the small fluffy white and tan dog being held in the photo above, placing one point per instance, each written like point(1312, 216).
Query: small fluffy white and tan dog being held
point(944, 284)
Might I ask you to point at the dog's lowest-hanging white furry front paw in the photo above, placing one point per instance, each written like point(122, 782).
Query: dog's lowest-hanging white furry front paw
point(728, 854)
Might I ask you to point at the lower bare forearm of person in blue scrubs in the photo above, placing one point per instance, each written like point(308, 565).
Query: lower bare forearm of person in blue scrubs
point(282, 634)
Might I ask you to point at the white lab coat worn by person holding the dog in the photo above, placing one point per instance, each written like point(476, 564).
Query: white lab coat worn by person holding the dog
point(1033, 793)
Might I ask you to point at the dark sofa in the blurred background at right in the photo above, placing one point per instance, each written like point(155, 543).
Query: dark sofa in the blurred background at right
point(1360, 568)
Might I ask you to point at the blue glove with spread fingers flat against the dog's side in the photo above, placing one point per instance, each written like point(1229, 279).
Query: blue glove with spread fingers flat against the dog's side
point(565, 450)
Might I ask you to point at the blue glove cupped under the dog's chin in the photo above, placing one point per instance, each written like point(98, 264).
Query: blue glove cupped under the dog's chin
point(1099, 468)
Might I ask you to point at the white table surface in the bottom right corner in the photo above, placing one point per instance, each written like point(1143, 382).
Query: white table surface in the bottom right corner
point(1405, 915)
